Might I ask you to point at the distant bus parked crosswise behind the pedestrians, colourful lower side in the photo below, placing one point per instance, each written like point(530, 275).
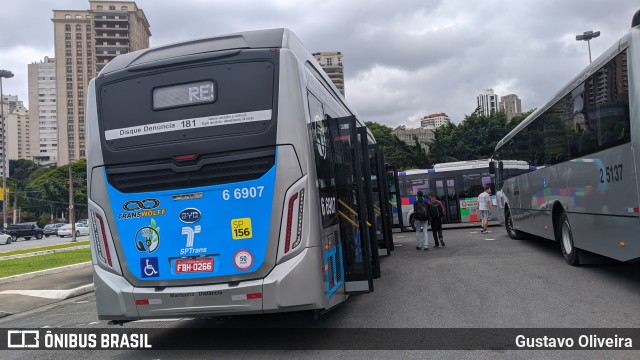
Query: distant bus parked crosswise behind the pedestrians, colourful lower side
point(456, 184)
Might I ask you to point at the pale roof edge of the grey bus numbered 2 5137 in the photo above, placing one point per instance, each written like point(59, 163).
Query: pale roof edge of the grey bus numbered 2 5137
point(616, 48)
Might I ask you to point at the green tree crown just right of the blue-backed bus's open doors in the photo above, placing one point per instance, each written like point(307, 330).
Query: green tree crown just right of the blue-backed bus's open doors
point(396, 151)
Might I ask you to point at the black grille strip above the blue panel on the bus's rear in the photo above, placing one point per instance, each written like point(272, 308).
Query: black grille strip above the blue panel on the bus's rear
point(165, 177)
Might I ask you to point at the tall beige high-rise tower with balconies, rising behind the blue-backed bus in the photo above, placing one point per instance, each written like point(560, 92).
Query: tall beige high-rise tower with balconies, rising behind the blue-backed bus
point(85, 41)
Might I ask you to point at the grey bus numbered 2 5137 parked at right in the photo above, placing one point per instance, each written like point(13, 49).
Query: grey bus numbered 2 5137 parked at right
point(582, 186)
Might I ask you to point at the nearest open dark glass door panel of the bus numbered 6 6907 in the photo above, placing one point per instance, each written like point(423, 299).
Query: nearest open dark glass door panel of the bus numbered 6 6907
point(351, 204)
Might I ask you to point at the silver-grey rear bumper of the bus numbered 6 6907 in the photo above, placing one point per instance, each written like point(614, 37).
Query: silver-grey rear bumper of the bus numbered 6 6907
point(293, 285)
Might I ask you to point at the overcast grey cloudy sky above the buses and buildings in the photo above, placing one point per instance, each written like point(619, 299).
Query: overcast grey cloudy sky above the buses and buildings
point(403, 58)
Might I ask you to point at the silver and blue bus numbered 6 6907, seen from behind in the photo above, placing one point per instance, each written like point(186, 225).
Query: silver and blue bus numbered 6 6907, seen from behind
point(228, 175)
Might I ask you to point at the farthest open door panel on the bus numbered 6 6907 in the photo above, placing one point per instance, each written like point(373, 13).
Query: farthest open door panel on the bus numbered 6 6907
point(380, 198)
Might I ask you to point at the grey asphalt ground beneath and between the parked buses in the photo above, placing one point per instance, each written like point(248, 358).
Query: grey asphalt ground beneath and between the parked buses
point(477, 280)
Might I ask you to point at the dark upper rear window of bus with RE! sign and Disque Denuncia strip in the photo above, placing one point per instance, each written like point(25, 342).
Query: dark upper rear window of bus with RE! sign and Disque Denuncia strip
point(188, 103)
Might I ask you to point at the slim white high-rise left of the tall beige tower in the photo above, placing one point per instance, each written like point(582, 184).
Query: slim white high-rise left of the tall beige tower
point(42, 113)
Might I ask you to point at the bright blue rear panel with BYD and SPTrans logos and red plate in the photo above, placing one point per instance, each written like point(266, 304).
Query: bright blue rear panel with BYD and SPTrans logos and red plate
point(228, 223)
